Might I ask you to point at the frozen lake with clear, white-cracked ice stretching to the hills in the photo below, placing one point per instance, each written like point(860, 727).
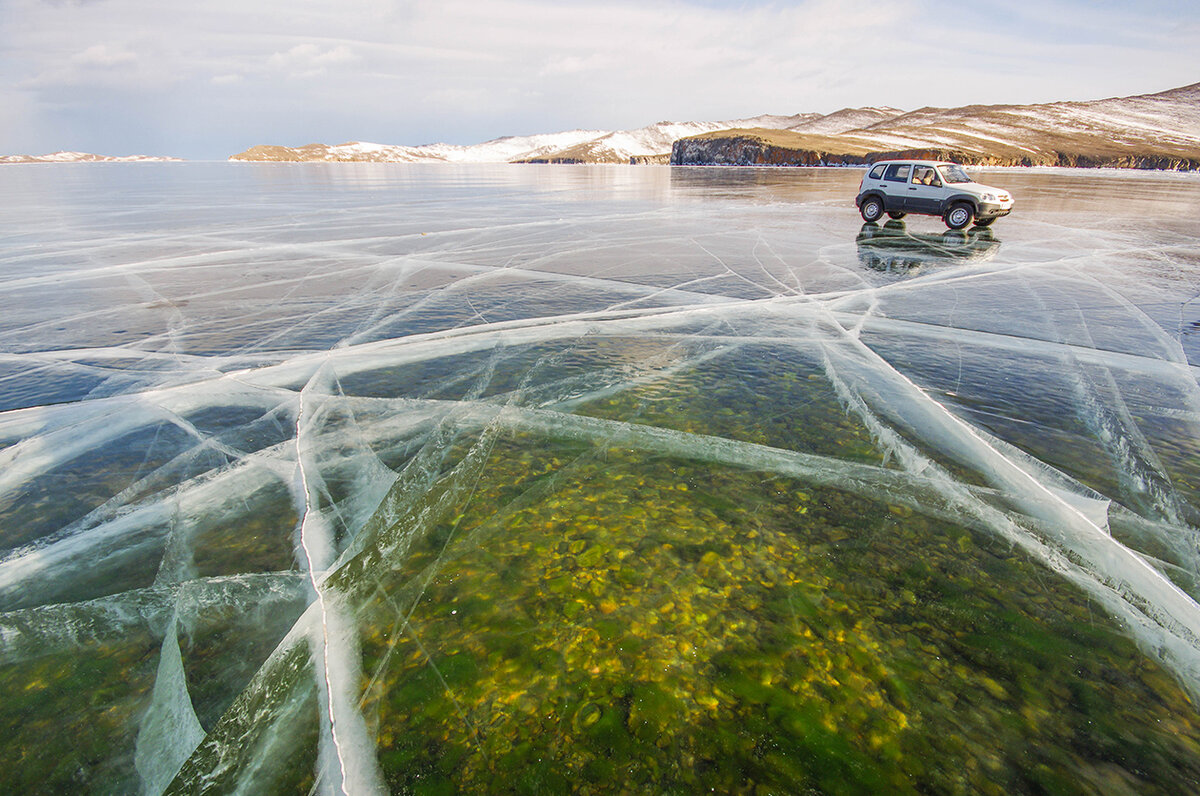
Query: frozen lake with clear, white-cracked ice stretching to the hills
point(368, 478)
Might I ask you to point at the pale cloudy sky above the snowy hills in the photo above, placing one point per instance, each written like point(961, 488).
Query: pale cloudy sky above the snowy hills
point(208, 79)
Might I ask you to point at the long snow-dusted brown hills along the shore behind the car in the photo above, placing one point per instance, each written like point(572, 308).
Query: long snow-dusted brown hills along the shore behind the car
point(1157, 131)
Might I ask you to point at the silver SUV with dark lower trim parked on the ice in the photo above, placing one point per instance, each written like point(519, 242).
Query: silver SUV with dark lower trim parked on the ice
point(932, 189)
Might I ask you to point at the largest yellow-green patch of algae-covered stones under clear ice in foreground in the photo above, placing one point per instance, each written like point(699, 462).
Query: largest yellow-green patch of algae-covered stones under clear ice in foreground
point(640, 627)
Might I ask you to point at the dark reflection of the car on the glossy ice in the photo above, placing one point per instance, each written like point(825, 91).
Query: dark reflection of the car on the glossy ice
point(895, 250)
